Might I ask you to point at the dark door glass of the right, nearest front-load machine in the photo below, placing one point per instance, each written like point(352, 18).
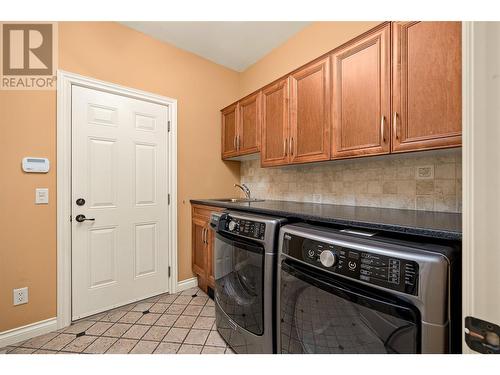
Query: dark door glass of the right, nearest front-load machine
point(322, 315)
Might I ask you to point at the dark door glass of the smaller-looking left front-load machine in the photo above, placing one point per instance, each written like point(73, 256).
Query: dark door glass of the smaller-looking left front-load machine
point(239, 272)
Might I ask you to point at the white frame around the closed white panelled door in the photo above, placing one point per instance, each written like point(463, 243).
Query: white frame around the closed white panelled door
point(65, 80)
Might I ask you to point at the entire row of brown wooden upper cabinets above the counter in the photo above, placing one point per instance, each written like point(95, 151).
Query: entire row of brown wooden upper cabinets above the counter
point(395, 88)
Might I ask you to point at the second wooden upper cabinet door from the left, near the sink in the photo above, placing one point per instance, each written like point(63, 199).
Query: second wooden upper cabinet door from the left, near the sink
point(248, 137)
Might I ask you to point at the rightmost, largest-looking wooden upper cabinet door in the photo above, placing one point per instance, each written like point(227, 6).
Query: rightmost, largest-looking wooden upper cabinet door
point(427, 83)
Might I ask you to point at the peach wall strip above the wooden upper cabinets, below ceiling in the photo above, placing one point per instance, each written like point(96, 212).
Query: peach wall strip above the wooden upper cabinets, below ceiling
point(311, 42)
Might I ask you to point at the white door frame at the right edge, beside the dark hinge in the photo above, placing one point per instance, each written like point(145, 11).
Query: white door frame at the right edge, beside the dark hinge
point(479, 117)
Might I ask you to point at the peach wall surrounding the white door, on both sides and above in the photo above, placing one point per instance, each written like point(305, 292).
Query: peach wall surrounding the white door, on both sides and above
point(115, 53)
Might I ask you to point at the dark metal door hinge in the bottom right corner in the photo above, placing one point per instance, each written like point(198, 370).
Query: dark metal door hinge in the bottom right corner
point(482, 336)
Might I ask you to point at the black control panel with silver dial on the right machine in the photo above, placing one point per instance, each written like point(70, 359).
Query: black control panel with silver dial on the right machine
point(389, 272)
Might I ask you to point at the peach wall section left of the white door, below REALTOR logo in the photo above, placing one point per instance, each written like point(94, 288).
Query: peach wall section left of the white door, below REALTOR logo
point(27, 233)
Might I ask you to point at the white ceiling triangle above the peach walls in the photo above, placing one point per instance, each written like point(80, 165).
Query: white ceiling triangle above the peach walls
point(236, 45)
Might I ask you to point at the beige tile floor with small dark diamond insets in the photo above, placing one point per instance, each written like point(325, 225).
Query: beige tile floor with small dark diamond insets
point(182, 323)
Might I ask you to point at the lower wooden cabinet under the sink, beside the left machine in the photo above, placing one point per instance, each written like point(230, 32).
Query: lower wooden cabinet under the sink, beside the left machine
point(202, 243)
